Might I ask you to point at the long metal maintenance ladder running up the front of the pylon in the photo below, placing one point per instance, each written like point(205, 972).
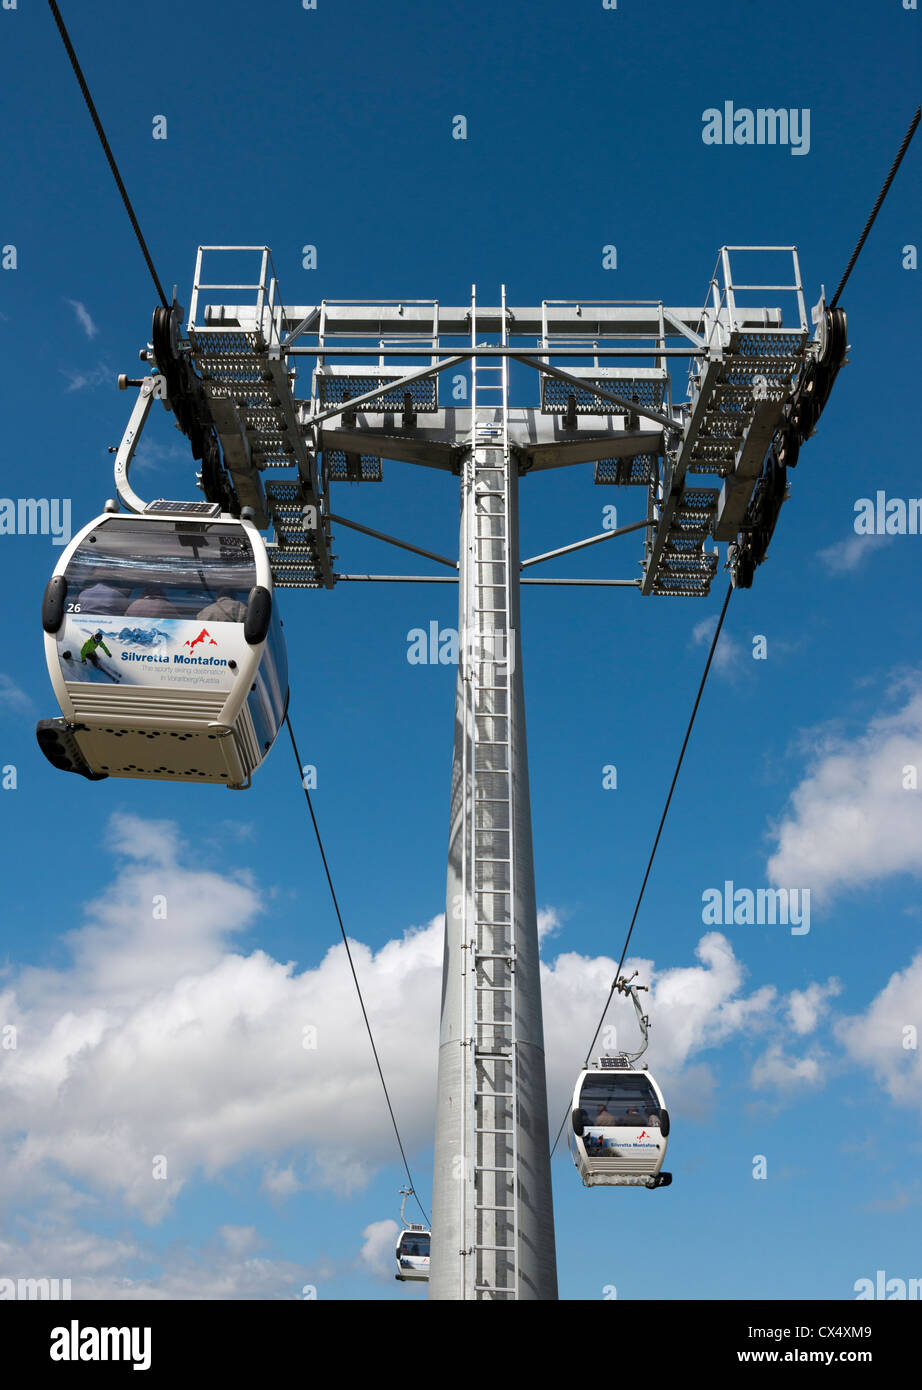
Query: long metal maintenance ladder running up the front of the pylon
point(489, 989)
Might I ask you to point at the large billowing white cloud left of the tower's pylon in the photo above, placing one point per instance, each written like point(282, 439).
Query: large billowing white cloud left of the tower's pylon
point(161, 1039)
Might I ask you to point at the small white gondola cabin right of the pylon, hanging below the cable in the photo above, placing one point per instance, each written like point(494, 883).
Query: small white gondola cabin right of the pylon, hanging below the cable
point(620, 1127)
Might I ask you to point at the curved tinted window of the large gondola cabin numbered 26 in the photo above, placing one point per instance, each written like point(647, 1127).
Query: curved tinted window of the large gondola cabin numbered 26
point(134, 568)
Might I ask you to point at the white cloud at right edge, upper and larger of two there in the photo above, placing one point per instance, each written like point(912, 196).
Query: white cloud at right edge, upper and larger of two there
point(852, 822)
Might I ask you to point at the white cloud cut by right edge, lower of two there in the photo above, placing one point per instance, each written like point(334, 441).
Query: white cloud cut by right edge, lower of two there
point(885, 1039)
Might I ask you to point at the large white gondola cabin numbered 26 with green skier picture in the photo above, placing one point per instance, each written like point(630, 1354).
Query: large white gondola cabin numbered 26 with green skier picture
point(165, 648)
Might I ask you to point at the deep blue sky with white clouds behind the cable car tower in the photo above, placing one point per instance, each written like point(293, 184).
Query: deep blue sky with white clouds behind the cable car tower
point(333, 127)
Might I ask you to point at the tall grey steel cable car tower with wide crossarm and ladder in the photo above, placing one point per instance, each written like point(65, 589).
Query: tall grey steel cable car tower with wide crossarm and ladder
point(711, 468)
